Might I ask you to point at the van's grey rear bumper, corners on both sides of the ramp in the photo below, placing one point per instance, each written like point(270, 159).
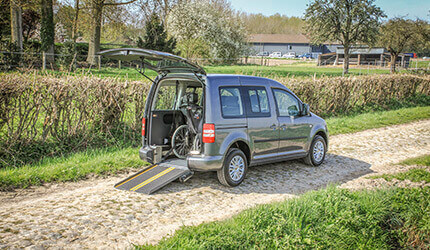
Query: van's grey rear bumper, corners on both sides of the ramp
point(194, 162)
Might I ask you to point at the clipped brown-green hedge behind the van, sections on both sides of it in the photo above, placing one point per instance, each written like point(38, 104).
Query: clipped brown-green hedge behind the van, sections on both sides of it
point(41, 115)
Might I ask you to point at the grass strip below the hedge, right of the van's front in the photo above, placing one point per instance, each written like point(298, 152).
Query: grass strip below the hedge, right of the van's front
point(351, 124)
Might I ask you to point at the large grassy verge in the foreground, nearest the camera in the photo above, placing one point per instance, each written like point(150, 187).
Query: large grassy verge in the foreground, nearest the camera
point(329, 218)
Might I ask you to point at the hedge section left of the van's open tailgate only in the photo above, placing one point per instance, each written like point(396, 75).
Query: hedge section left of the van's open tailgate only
point(47, 116)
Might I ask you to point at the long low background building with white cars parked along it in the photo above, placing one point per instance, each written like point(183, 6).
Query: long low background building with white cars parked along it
point(284, 43)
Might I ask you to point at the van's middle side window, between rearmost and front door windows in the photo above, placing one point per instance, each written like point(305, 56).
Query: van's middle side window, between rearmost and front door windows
point(259, 101)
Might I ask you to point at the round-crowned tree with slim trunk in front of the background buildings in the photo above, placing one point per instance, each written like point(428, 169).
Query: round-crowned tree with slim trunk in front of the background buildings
point(346, 21)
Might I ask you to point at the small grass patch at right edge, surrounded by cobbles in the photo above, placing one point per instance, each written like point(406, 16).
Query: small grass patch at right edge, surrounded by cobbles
point(414, 175)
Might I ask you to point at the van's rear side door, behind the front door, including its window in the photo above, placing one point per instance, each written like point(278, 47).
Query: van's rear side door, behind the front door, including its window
point(262, 121)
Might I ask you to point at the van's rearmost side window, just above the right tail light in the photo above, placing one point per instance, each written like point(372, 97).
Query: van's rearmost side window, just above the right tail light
point(231, 102)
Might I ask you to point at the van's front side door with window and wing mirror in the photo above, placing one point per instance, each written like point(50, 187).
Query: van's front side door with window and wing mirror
point(294, 130)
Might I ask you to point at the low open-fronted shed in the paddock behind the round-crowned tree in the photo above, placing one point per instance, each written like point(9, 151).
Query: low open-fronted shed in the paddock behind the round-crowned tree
point(363, 55)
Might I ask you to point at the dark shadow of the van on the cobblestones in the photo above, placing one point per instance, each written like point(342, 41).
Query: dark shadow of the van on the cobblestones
point(288, 177)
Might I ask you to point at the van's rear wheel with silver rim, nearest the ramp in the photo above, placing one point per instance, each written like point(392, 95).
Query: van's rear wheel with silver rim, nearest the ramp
point(227, 176)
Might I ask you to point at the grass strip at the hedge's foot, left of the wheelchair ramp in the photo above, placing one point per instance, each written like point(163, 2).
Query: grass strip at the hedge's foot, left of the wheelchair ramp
point(75, 167)
